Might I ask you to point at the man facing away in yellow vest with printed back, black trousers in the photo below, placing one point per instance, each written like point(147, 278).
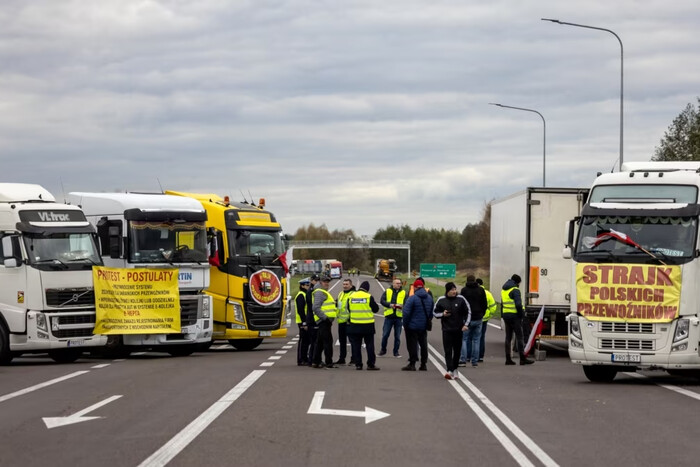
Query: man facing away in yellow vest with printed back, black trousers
point(361, 308)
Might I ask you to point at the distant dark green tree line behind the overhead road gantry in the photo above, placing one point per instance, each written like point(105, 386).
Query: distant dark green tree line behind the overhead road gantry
point(468, 248)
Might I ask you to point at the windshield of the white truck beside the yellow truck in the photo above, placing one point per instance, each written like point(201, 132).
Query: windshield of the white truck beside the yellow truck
point(159, 242)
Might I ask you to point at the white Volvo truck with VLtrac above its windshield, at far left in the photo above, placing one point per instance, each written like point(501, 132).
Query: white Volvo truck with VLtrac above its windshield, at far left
point(47, 251)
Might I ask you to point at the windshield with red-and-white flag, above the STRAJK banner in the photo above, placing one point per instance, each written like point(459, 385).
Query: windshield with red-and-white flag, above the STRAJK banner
point(614, 236)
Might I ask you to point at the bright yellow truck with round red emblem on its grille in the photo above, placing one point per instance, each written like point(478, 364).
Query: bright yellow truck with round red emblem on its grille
point(248, 283)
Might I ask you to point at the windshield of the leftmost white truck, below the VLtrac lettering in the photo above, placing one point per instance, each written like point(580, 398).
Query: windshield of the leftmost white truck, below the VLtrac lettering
point(56, 251)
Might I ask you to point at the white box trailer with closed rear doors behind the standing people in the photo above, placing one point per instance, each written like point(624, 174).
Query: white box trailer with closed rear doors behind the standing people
point(528, 234)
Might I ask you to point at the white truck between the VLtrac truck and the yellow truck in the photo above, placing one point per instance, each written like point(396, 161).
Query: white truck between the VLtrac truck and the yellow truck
point(139, 230)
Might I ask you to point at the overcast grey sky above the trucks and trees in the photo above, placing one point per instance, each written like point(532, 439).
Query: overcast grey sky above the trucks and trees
point(355, 113)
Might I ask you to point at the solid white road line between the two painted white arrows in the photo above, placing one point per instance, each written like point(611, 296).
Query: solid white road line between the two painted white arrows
point(180, 441)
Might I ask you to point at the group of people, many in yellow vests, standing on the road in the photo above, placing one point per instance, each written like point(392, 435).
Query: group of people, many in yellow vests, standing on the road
point(464, 316)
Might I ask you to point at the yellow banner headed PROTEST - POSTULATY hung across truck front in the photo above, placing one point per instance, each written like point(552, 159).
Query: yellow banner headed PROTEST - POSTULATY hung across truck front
point(136, 301)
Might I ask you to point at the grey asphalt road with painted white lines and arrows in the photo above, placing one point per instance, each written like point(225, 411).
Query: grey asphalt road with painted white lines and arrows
point(258, 408)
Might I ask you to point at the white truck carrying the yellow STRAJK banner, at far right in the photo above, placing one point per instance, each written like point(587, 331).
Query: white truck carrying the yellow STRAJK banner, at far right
point(635, 302)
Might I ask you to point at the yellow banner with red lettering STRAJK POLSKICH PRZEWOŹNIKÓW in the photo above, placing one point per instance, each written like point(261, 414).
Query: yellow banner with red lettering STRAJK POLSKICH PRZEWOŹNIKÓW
point(628, 292)
